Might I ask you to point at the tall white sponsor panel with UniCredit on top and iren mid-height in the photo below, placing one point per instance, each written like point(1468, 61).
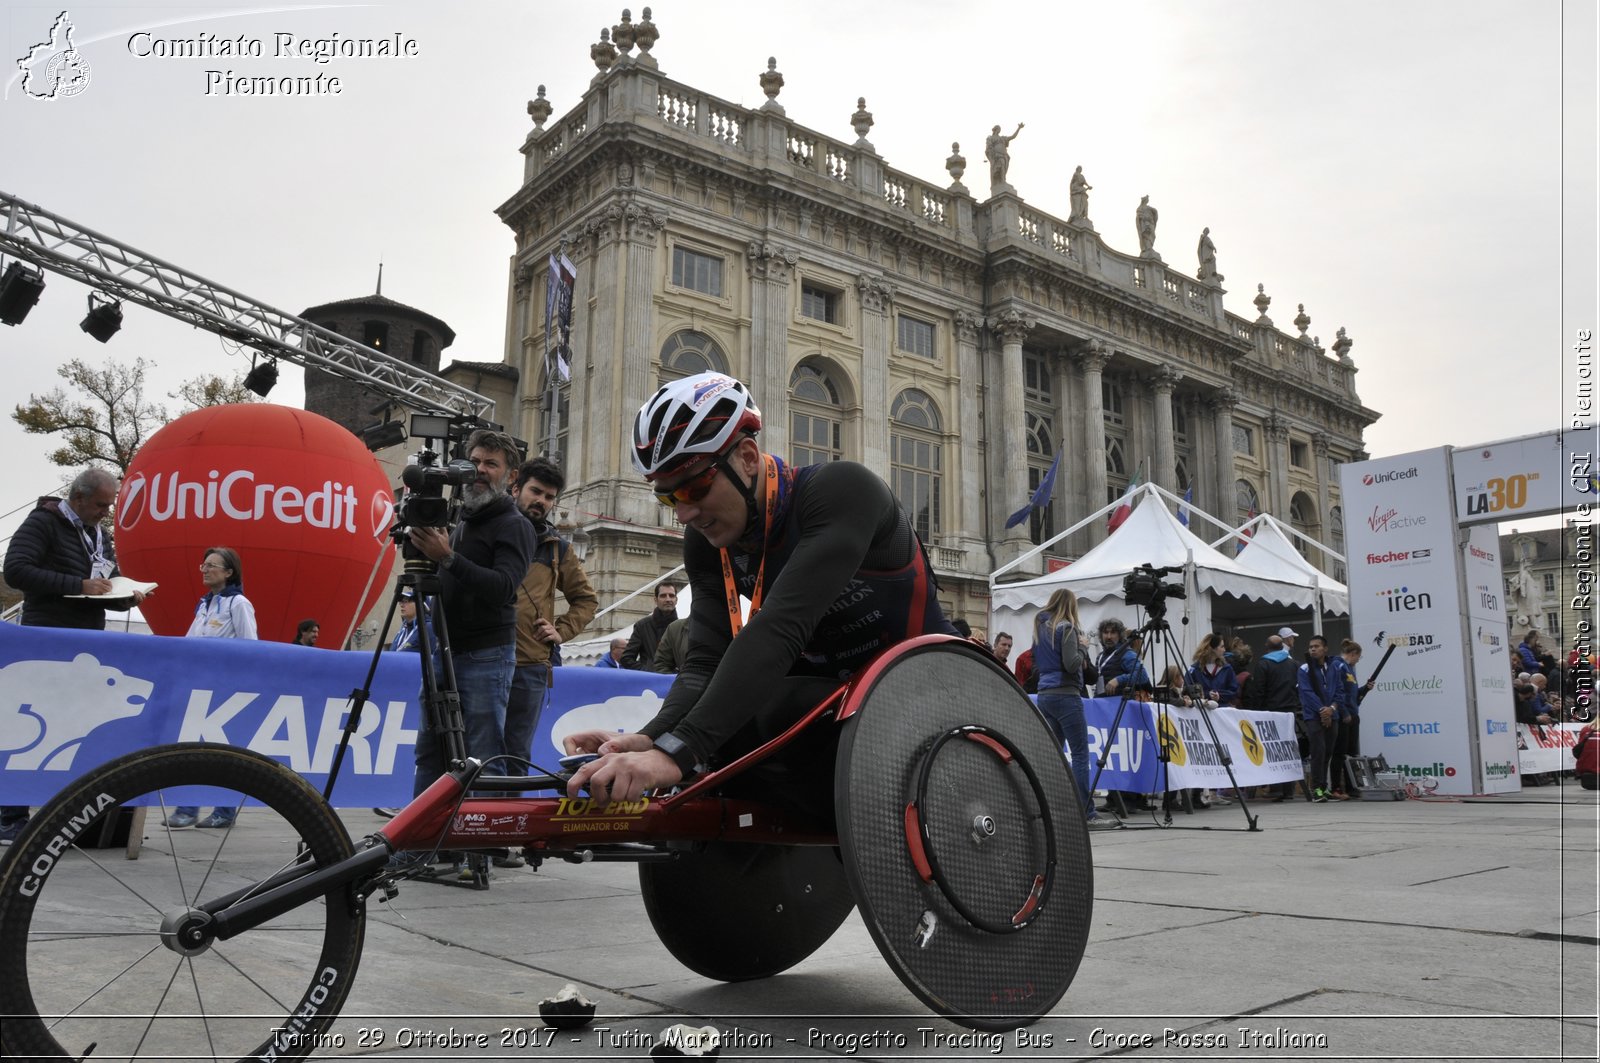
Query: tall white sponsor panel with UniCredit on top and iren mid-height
point(1404, 571)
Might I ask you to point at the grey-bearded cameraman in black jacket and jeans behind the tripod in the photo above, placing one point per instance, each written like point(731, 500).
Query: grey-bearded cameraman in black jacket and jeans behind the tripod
point(482, 563)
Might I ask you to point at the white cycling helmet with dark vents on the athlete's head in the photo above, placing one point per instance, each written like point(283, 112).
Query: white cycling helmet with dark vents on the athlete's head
point(692, 417)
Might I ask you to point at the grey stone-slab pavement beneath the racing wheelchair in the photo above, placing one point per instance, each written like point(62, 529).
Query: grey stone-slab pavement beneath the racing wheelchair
point(1348, 931)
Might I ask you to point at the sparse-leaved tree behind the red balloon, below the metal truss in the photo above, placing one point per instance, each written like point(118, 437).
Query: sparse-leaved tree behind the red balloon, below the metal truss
point(106, 417)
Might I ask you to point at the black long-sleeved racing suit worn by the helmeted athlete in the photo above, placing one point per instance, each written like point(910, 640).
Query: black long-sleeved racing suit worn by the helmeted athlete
point(846, 579)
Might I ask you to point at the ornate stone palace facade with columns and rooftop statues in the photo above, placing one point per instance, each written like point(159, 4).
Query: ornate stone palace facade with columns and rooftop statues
point(953, 345)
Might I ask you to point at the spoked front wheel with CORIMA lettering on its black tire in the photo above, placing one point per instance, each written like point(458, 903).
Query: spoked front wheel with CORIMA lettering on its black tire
point(82, 958)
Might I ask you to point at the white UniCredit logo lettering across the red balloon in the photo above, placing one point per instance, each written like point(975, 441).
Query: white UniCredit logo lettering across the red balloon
point(169, 497)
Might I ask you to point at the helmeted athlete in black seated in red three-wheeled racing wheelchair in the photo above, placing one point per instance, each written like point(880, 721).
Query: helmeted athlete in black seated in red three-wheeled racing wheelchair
point(841, 752)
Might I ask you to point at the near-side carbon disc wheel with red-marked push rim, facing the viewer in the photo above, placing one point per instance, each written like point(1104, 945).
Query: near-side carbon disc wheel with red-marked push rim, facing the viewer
point(962, 836)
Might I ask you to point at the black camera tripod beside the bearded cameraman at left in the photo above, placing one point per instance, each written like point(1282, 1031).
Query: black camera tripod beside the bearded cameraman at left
point(441, 696)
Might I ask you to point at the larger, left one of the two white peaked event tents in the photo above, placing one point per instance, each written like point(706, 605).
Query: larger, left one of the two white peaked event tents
point(1215, 584)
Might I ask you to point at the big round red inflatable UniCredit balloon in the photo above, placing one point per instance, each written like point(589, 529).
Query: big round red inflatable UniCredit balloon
point(302, 500)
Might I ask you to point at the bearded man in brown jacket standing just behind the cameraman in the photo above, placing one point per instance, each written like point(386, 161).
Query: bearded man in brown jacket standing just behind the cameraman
point(540, 632)
